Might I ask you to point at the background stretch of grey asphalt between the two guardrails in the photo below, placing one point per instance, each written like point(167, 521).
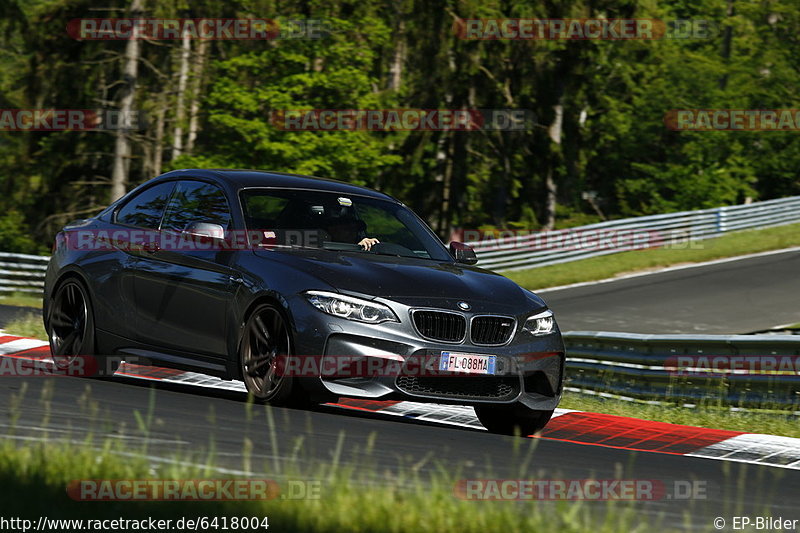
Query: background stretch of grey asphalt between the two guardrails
point(731, 297)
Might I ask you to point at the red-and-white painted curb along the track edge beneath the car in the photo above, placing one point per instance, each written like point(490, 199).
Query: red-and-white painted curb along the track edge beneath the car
point(576, 427)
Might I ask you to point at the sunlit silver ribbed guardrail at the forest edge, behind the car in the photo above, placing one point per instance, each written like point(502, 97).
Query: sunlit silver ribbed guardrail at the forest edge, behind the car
point(672, 229)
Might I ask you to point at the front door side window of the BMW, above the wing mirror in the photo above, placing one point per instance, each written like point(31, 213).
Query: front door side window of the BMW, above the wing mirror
point(195, 201)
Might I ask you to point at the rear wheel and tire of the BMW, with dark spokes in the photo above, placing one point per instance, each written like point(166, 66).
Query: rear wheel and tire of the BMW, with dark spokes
point(70, 330)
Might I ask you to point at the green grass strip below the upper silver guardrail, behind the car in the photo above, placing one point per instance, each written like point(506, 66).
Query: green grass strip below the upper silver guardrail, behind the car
point(608, 266)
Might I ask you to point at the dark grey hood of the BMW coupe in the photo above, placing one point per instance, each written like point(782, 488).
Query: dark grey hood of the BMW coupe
point(409, 280)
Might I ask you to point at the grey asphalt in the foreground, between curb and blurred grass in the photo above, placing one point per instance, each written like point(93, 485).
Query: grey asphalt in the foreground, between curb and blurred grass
point(187, 421)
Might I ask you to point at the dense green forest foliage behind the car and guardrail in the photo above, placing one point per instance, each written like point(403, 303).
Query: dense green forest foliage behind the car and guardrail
point(614, 94)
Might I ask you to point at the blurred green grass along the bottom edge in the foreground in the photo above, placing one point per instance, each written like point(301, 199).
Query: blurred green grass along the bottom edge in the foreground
point(34, 480)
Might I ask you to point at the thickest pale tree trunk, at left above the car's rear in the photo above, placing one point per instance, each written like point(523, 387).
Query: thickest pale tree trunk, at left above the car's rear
point(122, 146)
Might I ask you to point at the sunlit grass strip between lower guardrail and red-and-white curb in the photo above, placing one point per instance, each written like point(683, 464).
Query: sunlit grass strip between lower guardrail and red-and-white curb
point(703, 415)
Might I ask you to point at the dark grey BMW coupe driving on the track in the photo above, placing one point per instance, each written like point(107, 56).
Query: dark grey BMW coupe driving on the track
point(305, 289)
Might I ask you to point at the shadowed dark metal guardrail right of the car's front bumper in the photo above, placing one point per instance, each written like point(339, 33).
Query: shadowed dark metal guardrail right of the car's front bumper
point(754, 371)
